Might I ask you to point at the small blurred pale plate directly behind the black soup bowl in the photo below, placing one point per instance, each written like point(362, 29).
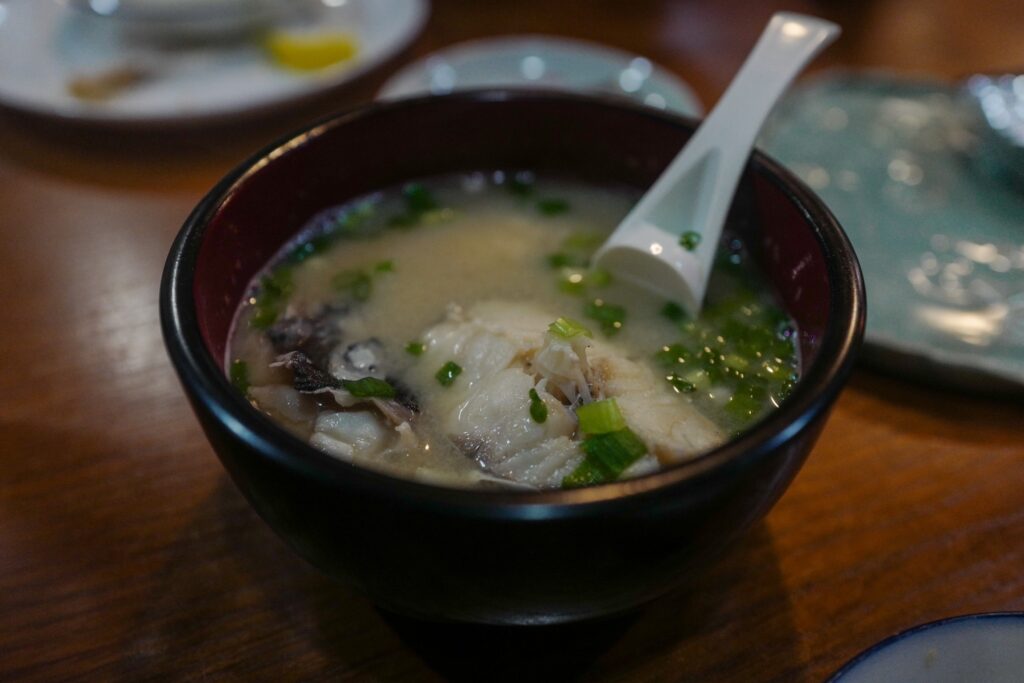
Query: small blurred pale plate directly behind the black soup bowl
point(543, 62)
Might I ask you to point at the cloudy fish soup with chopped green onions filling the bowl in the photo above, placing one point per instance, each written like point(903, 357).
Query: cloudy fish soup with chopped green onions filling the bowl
point(451, 331)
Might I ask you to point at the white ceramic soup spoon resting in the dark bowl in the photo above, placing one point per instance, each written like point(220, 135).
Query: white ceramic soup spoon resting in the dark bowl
point(694, 194)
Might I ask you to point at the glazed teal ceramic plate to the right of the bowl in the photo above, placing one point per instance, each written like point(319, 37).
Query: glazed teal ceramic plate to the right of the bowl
point(941, 238)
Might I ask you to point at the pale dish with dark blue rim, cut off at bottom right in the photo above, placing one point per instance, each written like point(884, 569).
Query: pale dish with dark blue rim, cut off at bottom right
point(962, 650)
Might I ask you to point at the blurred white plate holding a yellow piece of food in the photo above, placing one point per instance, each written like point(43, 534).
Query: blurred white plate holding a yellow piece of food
point(46, 44)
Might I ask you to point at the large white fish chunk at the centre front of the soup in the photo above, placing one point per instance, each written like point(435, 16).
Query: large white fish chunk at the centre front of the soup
point(505, 351)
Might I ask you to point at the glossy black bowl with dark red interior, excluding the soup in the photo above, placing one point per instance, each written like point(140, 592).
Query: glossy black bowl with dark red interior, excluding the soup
point(500, 558)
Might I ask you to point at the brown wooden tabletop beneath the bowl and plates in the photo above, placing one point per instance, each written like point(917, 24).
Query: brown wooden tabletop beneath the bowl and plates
point(126, 553)
